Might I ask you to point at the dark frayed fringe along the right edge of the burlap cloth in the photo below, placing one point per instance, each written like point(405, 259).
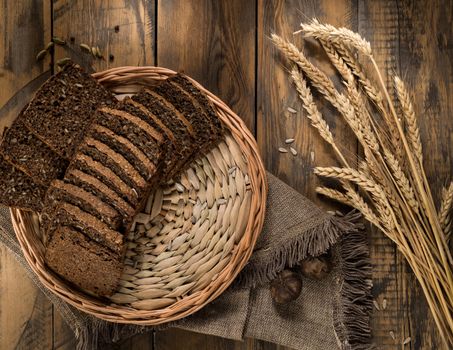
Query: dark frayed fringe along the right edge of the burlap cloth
point(354, 302)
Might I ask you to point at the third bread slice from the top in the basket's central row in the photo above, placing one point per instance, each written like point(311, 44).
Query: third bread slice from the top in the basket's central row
point(105, 155)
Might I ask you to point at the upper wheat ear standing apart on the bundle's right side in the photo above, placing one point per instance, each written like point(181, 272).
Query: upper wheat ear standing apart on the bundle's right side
point(413, 133)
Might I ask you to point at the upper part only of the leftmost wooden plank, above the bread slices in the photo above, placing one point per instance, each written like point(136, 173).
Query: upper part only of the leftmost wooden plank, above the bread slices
point(25, 29)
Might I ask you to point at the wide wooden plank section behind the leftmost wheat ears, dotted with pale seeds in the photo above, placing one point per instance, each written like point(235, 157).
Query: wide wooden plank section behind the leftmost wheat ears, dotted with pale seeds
point(276, 93)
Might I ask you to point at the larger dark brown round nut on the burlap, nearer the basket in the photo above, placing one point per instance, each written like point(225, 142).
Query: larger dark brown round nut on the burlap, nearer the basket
point(286, 287)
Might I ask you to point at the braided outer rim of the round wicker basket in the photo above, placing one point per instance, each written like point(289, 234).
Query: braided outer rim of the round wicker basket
point(119, 77)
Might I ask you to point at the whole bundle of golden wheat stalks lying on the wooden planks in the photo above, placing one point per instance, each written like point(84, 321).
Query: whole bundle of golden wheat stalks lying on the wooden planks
point(399, 199)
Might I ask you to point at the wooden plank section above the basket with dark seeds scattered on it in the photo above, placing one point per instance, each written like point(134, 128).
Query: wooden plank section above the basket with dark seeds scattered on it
point(124, 29)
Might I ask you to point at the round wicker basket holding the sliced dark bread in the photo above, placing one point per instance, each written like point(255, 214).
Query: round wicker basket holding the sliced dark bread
point(194, 236)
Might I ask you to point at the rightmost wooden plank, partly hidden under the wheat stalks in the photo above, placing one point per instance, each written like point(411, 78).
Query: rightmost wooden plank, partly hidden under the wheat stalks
point(426, 64)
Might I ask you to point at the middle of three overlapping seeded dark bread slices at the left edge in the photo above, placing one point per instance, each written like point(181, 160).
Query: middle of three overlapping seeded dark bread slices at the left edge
point(24, 150)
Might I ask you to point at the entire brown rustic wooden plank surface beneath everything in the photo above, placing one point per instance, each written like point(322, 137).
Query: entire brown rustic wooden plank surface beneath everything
point(225, 46)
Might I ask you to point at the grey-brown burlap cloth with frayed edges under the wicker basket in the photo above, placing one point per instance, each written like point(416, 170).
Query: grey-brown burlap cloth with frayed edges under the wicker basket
point(330, 314)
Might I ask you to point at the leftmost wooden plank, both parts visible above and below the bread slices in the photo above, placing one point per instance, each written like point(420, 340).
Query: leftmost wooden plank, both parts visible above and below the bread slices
point(25, 314)
